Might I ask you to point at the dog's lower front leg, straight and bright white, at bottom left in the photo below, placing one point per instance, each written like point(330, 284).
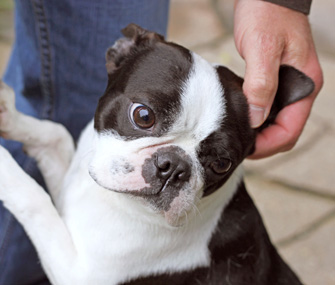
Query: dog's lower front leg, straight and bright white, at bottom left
point(32, 206)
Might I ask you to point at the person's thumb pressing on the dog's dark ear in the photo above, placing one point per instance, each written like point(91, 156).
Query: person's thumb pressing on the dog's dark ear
point(260, 82)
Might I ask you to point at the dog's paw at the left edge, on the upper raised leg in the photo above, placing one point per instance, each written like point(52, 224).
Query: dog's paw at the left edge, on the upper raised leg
point(7, 109)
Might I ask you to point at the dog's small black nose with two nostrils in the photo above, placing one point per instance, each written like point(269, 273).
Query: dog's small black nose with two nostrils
point(171, 166)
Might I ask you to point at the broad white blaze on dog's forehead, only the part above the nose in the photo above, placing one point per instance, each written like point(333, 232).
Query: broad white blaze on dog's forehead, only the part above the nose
point(202, 102)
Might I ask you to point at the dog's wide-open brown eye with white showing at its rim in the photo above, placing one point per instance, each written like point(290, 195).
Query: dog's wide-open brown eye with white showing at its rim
point(142, 116)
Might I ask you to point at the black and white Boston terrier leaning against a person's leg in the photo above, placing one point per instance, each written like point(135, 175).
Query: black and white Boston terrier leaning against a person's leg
point(154, 192)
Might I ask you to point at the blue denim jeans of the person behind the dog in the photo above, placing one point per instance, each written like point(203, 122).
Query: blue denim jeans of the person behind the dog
point(57, 69)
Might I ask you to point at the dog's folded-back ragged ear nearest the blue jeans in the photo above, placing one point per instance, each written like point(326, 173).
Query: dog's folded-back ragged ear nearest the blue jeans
point(135, 37)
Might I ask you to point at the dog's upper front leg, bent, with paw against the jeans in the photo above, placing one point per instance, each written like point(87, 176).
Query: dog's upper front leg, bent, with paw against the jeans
point(49, 143)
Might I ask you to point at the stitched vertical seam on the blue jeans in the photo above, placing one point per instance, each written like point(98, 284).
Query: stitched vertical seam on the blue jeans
point(46, 59)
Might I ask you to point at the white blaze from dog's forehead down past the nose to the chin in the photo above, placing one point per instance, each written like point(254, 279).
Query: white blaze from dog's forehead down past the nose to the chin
point(202, 111)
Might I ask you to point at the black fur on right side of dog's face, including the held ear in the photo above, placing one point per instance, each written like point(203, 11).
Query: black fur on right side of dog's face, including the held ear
point(235, 139)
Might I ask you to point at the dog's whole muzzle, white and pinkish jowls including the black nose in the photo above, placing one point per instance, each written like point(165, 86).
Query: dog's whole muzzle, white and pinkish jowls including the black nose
point(167, 181)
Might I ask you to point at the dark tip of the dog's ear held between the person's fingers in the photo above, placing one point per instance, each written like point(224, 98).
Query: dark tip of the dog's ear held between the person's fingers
point(293, 85)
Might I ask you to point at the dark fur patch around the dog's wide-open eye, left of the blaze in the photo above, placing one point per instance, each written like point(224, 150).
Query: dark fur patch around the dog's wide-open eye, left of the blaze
point(152, 68)
